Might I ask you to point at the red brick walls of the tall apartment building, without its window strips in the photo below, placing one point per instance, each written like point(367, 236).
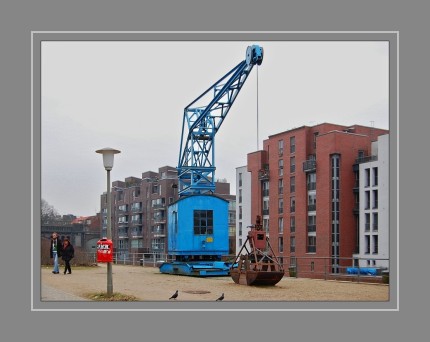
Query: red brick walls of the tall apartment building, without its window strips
point(331, 139)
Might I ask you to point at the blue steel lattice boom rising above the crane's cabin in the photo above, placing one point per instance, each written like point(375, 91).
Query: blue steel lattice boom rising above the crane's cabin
point(202, 120)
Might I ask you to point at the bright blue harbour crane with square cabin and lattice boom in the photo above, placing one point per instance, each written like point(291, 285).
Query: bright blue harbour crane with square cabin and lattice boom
point(198, 221)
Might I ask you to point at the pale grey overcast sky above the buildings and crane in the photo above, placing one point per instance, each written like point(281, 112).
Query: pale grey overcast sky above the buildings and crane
point(130, 96)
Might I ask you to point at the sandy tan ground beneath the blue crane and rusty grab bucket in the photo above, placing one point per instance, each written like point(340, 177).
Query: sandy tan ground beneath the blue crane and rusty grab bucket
point(148, 284)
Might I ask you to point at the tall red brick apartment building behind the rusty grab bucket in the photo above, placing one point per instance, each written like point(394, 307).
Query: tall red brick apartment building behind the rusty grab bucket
point(302, 183)
